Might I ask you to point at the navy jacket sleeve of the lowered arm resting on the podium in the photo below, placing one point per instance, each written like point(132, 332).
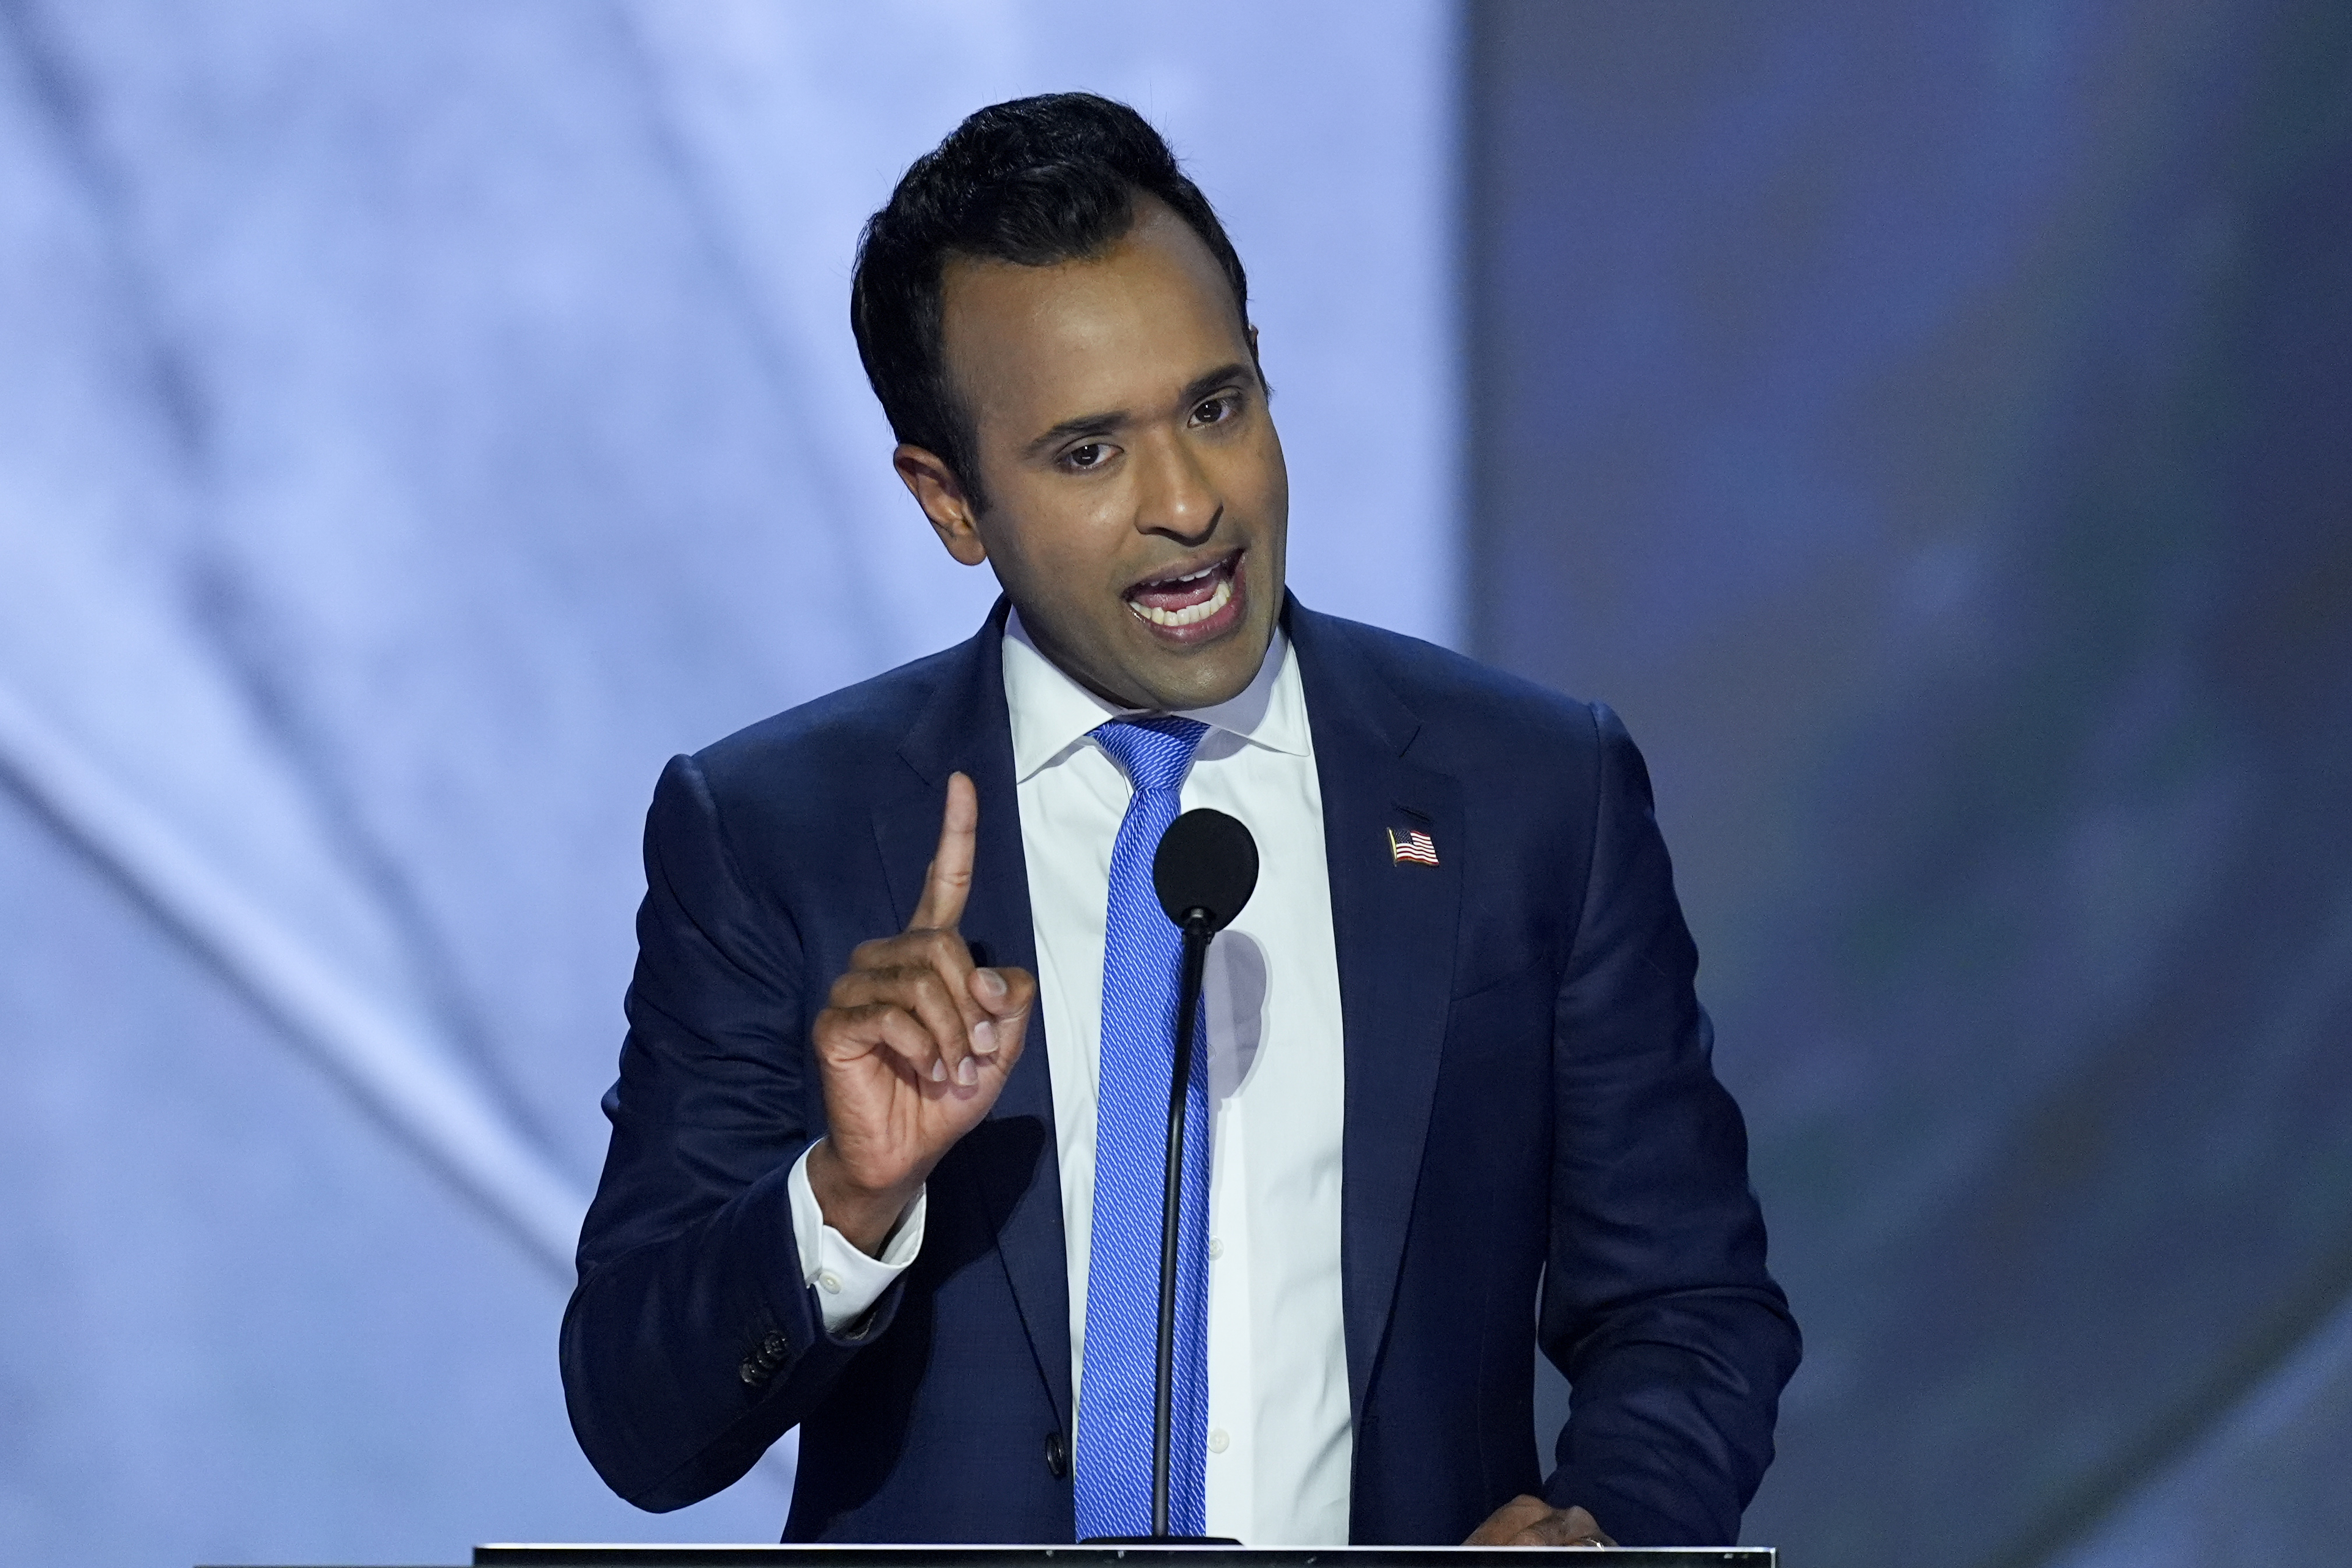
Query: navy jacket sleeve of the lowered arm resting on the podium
point(1657, 1301)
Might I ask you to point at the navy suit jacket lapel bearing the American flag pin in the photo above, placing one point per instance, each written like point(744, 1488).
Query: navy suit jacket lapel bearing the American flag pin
point(1394, 925)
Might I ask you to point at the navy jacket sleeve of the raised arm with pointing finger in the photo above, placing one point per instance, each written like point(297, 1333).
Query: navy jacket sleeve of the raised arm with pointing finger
point(693, 1339)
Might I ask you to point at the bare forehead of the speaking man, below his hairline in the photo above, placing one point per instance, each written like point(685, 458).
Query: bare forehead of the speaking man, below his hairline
point(1123, 330)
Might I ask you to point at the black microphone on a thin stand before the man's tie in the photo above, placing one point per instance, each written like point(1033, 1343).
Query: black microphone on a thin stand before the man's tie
point(1205, 871)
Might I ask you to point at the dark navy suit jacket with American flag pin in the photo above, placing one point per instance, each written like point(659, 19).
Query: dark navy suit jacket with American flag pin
point(1528, 1101)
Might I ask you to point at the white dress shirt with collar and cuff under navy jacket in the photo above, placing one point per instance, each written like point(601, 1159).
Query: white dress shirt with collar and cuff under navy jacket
point(1281, 1438)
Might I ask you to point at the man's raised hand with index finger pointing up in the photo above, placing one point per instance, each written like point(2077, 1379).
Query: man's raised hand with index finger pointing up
point(914, 1047)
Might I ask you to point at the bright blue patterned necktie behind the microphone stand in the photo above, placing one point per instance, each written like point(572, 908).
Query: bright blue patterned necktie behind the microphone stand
point(1142, 965)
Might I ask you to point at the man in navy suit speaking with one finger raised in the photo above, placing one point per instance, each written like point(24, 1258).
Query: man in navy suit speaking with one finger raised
point(886, 1106)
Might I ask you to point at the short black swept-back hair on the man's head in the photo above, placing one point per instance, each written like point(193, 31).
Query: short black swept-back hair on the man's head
point(1034, 182)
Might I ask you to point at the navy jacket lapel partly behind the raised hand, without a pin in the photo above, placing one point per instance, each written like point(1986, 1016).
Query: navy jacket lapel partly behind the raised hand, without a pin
point(965, 728)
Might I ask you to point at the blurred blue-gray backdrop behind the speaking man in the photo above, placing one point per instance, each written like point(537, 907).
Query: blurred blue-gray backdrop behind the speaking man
point(1930, 427)
